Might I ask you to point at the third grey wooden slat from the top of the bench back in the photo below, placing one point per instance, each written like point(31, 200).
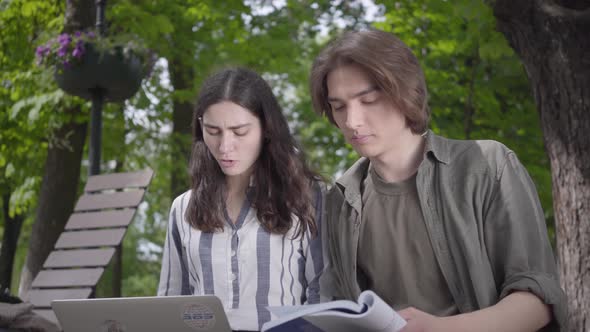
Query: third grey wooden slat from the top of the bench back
point(101, 219)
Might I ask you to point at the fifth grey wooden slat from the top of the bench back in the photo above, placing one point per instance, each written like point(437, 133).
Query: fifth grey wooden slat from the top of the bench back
point(79, 258)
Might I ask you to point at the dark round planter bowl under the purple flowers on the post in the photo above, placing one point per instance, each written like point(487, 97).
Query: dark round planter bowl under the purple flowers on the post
point(118, 76)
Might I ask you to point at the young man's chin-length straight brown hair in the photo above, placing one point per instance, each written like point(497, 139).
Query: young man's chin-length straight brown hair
point(389, 62)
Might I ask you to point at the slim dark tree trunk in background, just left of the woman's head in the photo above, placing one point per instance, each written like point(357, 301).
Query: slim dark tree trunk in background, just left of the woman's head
point(182, 114)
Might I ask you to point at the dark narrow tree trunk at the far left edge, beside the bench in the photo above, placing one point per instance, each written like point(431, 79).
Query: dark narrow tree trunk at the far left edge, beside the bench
point(12, 227)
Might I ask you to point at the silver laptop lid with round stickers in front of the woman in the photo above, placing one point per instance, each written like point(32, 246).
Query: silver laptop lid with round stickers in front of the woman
point(190, 313)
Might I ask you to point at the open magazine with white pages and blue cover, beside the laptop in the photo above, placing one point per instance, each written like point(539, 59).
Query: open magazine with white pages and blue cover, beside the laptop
point(369, 313)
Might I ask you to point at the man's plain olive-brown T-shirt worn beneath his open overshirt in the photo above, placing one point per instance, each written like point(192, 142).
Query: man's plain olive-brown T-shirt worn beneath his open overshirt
point(395, 258)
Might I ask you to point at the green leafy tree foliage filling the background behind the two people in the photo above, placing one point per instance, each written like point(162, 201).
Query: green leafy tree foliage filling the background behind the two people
point(478, 90)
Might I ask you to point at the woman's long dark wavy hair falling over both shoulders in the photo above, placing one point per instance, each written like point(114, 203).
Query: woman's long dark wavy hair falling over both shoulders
point(282, 181)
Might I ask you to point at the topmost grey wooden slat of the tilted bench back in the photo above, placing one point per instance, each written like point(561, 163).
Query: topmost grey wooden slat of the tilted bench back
point(138, 179)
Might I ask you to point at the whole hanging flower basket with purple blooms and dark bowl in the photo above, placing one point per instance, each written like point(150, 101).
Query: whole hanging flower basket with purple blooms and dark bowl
point(83, 65)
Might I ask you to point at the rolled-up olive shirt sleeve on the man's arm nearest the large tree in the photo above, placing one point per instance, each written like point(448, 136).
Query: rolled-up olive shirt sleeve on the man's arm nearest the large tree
point(517, 241)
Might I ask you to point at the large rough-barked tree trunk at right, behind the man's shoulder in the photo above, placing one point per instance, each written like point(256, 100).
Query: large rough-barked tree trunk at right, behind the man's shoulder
point(552, 37)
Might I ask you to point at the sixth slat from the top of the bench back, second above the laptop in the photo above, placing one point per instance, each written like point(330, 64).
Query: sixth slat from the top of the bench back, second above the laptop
point(67, 278)
